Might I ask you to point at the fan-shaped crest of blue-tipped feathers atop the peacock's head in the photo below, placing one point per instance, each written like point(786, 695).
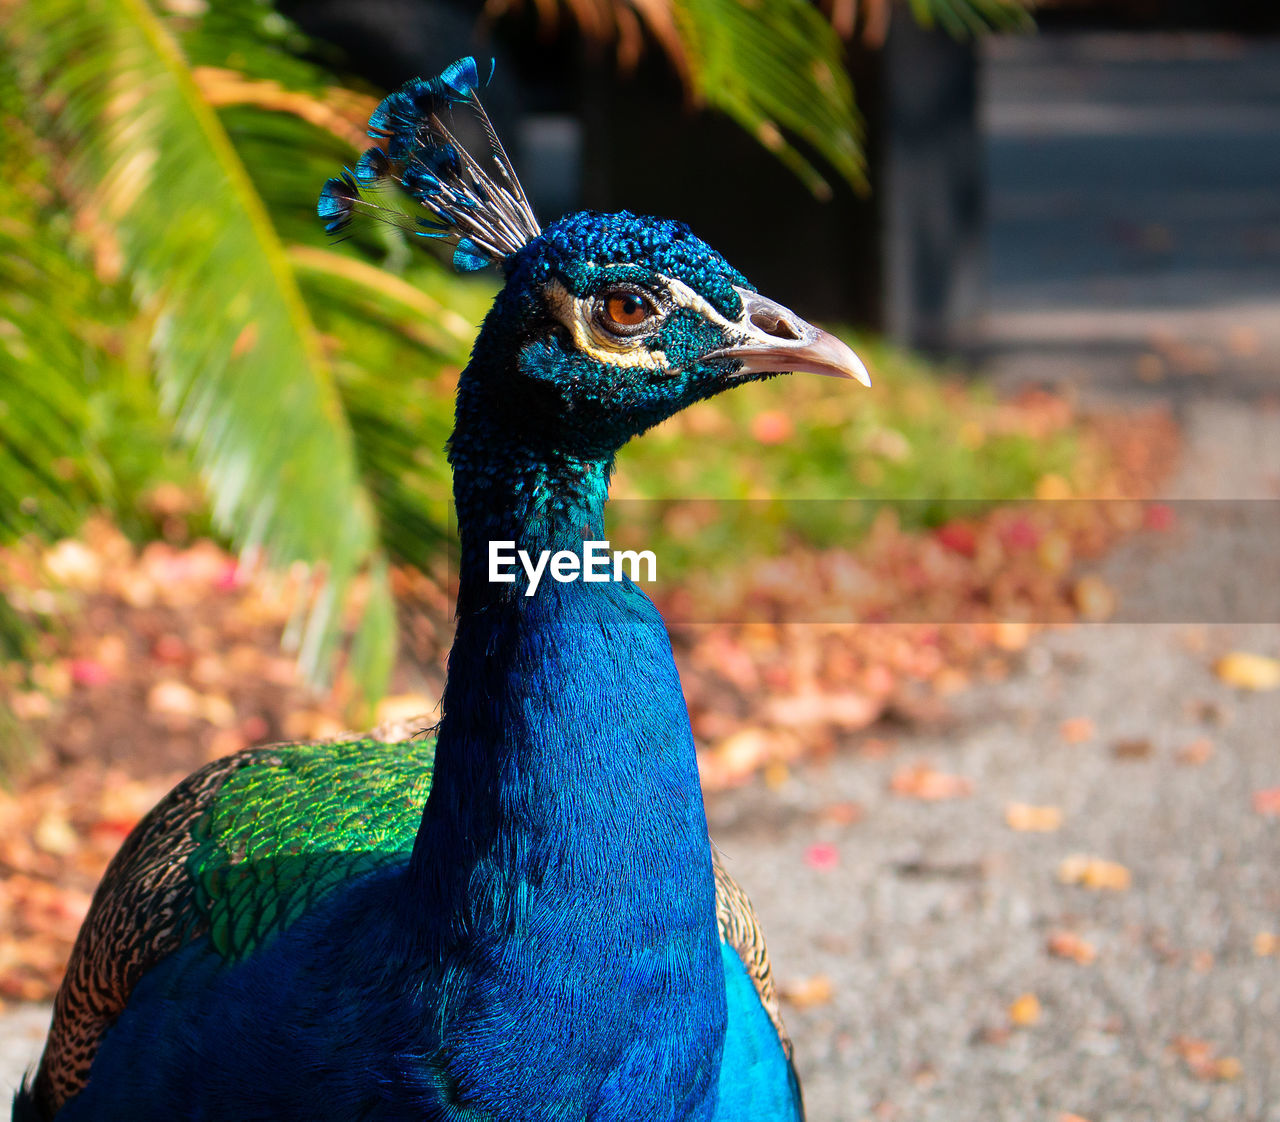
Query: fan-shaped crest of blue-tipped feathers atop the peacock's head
point(477, 204)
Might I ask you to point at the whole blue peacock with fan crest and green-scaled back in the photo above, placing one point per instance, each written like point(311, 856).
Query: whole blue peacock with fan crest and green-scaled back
point(516, 915)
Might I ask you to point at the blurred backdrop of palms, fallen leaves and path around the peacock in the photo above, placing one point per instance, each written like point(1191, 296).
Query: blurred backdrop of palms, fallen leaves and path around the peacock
point(984, 663)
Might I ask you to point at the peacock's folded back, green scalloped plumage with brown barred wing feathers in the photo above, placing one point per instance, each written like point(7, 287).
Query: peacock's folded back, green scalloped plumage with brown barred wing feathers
point(235, 854)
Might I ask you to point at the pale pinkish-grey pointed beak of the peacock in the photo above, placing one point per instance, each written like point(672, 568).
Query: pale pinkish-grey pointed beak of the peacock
point(774, 340)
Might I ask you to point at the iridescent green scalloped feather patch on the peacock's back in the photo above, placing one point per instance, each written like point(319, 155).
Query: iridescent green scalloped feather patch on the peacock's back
point(304, 819)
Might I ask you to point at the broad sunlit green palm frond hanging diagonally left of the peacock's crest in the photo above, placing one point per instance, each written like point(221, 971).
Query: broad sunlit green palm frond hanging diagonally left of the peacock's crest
point(239, 360)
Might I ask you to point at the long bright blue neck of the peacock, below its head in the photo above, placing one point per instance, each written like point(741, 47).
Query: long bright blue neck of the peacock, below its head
point(575, 900)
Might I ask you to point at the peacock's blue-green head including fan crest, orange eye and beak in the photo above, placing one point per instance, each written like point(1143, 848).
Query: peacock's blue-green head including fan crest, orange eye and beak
point(609, 323)
